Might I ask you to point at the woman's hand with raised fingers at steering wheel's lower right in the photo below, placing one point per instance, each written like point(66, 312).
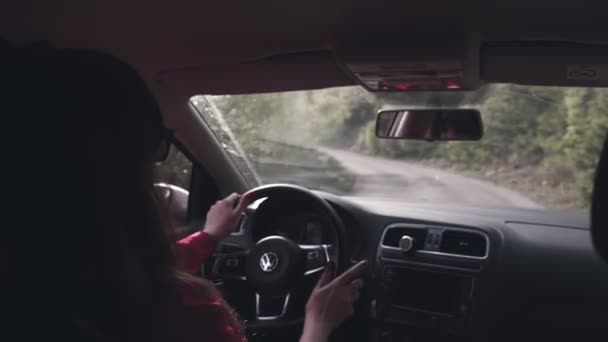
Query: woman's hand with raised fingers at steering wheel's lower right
point(331, 302)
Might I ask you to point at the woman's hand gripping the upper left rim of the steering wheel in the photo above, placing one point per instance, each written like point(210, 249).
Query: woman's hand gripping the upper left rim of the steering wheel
point(224, 215)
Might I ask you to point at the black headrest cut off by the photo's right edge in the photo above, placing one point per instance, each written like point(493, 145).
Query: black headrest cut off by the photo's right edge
point(599, 205)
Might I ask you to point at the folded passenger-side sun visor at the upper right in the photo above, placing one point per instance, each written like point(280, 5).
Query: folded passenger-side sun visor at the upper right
point(551, 64)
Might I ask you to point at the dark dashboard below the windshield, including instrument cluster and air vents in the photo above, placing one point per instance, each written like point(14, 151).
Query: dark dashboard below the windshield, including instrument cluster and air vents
point(444, 272)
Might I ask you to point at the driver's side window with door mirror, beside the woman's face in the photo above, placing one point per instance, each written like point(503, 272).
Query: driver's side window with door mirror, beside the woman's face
point(173, 183)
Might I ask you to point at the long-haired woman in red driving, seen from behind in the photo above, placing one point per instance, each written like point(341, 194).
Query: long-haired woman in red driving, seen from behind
point(116, 274)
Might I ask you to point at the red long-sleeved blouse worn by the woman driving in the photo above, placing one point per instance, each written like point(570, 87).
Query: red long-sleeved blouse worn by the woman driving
point(200, 318)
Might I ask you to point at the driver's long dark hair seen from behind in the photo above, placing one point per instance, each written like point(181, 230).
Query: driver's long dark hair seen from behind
point(91, 250)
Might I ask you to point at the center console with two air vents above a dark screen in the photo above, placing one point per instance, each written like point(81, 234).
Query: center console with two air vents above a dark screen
point(426, 277)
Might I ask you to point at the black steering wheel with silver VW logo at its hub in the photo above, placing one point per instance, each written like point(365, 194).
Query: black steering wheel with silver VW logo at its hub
point(275, 267)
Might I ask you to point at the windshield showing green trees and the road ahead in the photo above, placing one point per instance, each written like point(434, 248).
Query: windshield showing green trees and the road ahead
point(539, 150)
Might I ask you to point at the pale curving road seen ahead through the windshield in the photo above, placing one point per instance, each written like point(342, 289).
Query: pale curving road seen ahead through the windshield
point(389, 178)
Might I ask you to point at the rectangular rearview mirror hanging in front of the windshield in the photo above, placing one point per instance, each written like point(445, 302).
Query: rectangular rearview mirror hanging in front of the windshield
point(429, 124)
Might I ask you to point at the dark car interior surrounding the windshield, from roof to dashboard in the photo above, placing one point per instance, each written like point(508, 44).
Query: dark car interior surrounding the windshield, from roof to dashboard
point(437, 271)
